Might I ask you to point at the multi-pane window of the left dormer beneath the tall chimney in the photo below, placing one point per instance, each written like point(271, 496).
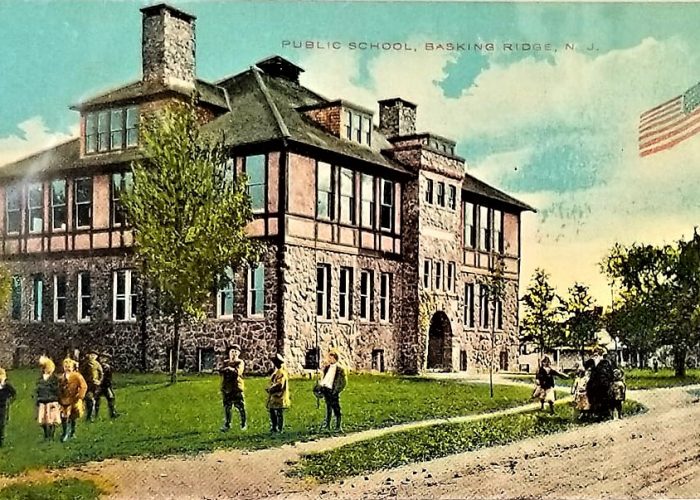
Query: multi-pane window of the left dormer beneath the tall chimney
point(111, 129)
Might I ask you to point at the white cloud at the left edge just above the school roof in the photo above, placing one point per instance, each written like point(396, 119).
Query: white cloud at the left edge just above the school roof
point(34, 136)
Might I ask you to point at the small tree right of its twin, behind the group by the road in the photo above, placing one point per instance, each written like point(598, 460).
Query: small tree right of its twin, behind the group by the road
point(583, 318)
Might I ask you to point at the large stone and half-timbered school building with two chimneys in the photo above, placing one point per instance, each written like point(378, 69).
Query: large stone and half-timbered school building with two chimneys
point(378, 239)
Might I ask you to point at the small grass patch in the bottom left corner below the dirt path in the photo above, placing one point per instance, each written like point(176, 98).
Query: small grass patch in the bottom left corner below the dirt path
point(63, 489)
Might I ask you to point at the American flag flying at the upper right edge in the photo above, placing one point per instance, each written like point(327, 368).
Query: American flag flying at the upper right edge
point(667, 124)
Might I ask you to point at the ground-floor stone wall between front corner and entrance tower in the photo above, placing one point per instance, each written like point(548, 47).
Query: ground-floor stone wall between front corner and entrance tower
point(356, 339)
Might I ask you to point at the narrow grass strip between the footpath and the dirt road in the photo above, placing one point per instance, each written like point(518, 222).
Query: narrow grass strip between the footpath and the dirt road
point(428, 443)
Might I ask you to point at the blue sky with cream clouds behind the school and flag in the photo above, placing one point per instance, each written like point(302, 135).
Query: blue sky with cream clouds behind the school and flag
point(557, 129)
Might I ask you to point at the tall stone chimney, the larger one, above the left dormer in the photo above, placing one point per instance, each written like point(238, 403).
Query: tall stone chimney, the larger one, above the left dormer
point(168, 47)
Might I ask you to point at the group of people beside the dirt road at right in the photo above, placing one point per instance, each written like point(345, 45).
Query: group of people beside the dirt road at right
point(615, 393)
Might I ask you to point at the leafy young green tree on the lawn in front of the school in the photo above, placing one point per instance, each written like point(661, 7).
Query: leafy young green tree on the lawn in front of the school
point(189, 214)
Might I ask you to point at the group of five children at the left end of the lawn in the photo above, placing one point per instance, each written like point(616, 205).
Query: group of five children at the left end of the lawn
point(61, 399)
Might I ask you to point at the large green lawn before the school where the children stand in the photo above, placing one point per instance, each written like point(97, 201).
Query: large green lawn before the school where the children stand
point(159, 419)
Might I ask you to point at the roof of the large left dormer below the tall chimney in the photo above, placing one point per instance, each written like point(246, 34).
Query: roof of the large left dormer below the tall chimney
point(138, 91)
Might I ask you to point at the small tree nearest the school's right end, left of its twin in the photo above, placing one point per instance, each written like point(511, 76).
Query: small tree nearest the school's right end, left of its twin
point(541, 312)
